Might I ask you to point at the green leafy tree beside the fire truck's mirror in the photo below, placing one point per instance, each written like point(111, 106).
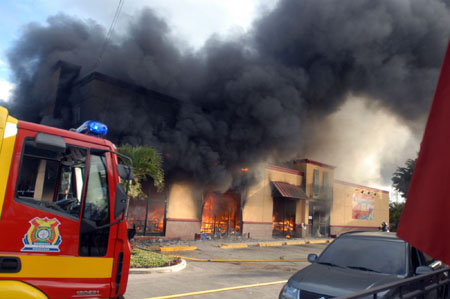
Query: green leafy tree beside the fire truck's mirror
point(146, 164)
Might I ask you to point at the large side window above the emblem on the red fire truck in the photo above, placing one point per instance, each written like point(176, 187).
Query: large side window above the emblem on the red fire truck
point(52, 180)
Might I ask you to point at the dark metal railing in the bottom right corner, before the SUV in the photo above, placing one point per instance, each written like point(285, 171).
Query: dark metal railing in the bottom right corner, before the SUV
point(430, 285)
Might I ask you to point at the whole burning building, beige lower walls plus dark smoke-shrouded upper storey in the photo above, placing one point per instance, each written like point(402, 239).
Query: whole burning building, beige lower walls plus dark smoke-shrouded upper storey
point(297, 200)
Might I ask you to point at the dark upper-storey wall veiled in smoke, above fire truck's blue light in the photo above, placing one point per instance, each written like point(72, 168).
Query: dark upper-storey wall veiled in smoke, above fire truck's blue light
point(99, 97)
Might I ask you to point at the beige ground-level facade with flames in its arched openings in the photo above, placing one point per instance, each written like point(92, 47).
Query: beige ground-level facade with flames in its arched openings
point(302, 201)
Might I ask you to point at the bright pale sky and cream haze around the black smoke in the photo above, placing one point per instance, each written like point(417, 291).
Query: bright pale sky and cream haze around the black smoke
point(191, 23)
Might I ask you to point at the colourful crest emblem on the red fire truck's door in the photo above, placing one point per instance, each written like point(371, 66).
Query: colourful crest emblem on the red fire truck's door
point(42, 236)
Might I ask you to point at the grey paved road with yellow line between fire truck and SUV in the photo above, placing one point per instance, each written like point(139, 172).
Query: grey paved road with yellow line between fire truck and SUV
point(200, 276)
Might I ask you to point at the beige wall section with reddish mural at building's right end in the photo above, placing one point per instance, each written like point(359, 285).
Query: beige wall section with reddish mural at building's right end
point(345, 196)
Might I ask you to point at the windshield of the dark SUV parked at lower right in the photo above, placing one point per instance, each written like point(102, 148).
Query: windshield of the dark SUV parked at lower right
point(374, 255)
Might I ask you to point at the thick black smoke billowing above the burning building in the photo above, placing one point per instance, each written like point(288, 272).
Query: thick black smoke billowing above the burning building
point(258, 96)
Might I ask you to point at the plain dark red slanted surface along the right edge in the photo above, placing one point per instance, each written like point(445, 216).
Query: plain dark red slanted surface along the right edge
point(425, 220)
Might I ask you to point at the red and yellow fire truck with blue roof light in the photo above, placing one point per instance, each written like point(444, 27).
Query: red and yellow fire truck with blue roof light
point(62, 208)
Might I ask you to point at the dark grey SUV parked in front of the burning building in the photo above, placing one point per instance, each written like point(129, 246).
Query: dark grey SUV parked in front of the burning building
point(357, 261)
